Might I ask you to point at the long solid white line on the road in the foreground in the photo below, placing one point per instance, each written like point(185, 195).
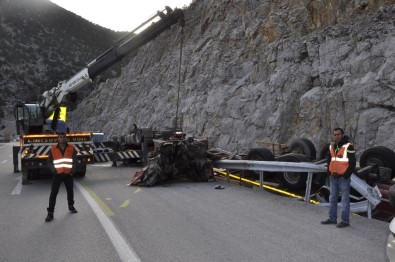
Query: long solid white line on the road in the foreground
point(124, 250)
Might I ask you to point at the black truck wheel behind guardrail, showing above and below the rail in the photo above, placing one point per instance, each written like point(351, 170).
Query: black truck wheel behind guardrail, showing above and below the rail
point(293, 180)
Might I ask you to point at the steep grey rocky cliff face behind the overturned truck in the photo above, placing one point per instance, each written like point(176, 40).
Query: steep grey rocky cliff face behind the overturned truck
point(261, 70)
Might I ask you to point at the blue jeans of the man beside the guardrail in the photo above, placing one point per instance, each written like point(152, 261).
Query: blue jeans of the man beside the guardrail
point(343, 185)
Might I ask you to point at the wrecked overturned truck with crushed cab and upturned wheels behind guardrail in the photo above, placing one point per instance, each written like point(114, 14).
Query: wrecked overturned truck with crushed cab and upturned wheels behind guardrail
point(180, 158)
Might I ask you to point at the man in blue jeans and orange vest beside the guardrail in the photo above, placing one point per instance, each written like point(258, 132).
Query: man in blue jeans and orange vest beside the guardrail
point(341, 164)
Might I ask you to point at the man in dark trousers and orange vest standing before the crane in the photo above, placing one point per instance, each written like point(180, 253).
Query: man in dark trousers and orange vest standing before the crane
point(61, 158)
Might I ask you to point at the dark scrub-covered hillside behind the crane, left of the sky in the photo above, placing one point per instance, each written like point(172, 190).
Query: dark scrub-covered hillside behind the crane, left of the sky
point(42, 44)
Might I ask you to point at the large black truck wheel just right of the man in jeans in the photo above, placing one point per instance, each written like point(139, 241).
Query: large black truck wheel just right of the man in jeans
point(378, 155)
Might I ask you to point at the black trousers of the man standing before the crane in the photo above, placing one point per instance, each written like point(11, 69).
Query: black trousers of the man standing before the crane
point(57, 180)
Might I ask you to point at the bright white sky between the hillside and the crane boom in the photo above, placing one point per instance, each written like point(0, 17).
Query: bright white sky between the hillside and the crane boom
point(118, 15)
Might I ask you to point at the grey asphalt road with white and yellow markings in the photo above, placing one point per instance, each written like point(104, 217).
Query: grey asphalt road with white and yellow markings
point(180, 221)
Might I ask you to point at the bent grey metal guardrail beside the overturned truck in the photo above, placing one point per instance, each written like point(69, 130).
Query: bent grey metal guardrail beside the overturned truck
point(372, 194)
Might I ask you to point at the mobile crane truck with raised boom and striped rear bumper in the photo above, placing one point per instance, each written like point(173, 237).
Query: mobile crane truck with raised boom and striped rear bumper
point(37, 123)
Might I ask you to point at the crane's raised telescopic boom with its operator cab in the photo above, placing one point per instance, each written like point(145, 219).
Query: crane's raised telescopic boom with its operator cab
point(53, 98)
